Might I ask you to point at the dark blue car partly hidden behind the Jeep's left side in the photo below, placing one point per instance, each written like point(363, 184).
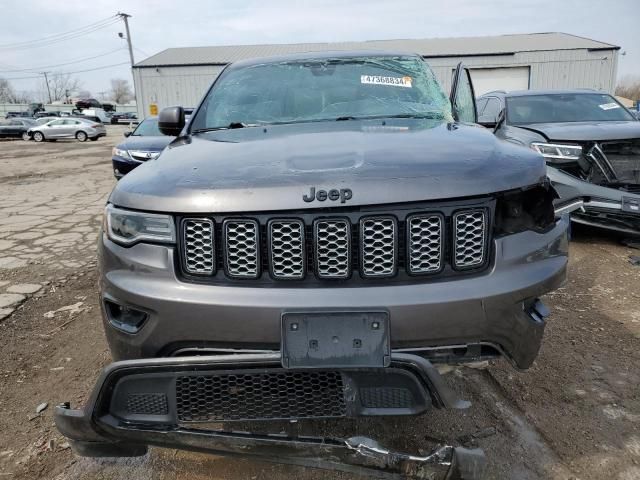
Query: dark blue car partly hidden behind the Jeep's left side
point(144, 143)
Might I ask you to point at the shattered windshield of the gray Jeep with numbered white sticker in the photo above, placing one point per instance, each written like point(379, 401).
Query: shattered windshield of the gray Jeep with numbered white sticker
point(325, 89)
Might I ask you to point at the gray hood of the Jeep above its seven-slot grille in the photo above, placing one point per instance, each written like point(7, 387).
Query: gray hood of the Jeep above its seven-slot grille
point(271, 168)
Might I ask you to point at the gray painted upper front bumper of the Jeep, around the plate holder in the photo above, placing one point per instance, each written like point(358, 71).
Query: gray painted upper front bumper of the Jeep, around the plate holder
point(496, 308)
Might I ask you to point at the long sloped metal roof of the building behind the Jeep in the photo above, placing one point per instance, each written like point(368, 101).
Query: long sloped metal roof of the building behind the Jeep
point(427, 47)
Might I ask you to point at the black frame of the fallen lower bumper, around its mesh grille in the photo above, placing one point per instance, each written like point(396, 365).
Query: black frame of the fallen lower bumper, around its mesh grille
point(103, 428)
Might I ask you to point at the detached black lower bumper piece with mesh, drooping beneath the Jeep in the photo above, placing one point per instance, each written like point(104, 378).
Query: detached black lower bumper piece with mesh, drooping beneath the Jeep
point(191, 403)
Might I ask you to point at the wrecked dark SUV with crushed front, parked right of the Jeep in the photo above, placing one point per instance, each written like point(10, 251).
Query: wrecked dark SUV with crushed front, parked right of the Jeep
point(591, 144)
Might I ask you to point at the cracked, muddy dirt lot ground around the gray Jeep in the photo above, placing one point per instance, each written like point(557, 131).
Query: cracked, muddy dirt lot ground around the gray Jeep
point(574, 415)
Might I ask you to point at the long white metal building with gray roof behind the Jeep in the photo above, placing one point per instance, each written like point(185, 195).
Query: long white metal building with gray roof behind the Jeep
point(180, 76)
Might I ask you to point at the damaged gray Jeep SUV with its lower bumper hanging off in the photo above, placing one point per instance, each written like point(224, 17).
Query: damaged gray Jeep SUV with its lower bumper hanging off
point(325, 229)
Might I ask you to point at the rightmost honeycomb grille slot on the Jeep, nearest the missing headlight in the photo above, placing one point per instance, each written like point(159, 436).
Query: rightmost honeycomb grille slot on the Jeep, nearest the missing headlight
point(469, 231)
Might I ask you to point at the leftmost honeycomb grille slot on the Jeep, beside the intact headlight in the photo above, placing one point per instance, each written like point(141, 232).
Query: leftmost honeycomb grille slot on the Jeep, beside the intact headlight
point(199, 246)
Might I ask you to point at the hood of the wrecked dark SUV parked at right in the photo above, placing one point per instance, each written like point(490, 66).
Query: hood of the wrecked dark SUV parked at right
point(586, 131)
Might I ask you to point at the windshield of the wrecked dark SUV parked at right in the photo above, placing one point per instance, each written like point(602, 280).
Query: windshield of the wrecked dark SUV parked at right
point(571, 107)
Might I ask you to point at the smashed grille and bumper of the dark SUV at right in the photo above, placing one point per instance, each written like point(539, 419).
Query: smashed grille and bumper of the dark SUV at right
point(602, 186)
